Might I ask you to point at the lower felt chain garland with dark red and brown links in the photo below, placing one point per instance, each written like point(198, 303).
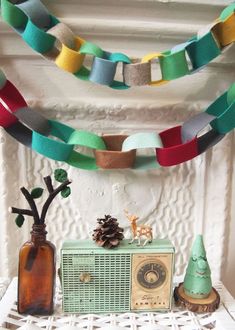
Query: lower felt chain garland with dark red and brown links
point(173, 146)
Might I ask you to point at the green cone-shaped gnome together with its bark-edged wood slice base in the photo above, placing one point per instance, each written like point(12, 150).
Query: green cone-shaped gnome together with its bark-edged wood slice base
point(196, 292)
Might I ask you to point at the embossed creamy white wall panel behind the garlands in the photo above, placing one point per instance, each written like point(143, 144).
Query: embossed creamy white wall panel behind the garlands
point(179, 202)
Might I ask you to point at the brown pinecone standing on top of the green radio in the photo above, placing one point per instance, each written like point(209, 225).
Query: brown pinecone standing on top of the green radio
point(108, 234)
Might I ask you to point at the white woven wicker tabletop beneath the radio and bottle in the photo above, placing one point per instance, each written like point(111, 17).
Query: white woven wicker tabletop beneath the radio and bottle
point(222, 319)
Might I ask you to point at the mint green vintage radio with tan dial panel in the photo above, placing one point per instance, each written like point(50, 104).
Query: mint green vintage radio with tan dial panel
point(127, 278)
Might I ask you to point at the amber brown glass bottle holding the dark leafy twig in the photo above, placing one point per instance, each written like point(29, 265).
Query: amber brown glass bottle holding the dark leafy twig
point(36, 274)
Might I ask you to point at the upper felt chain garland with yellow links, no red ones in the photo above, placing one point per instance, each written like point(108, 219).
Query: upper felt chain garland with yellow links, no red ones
point(54, 40)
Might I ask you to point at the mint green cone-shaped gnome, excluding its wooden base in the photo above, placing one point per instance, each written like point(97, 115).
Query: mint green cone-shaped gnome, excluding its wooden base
point(197, 281)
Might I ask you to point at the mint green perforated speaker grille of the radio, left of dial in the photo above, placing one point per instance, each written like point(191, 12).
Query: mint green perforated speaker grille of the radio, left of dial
point(108, 288)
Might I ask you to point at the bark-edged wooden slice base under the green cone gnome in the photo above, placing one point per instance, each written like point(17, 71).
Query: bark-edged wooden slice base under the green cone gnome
point(205, 305)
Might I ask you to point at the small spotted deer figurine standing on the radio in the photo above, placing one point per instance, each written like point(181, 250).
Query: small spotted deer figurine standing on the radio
point(139, 231)
